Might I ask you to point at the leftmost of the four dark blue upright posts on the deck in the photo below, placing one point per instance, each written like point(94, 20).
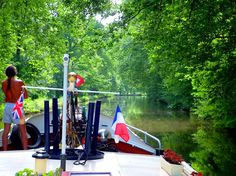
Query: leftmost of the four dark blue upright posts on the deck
point(46, 126)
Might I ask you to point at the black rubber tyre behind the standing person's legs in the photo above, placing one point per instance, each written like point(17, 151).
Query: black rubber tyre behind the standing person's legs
point(34, 137)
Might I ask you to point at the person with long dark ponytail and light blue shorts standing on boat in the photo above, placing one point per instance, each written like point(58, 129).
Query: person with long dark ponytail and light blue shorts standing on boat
point(12, 88)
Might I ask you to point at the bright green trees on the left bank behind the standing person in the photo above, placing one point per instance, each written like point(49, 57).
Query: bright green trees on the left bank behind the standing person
point(34, 37)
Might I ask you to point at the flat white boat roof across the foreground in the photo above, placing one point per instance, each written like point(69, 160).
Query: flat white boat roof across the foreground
point(113, 163)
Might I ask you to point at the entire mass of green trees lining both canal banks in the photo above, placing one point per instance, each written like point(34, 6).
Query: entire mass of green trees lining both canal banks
point(178, 52)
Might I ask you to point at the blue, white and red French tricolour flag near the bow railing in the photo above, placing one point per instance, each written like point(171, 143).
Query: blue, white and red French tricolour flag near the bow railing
point(119, 126)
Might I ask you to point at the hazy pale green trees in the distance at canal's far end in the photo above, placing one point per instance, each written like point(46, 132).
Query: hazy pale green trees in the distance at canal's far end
point(132, 67)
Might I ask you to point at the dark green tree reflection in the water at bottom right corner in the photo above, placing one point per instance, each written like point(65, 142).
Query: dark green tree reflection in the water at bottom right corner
point(215, 154)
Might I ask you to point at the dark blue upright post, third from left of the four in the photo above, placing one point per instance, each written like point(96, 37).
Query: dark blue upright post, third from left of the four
point(89, 128)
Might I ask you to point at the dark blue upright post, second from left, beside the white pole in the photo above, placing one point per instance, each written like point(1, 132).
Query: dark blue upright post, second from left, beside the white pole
point(55, 124)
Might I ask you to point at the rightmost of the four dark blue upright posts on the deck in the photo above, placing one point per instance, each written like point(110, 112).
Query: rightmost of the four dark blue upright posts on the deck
point(96, 126)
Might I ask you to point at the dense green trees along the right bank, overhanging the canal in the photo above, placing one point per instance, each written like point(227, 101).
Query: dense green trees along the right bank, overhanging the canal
point(190, 51)
